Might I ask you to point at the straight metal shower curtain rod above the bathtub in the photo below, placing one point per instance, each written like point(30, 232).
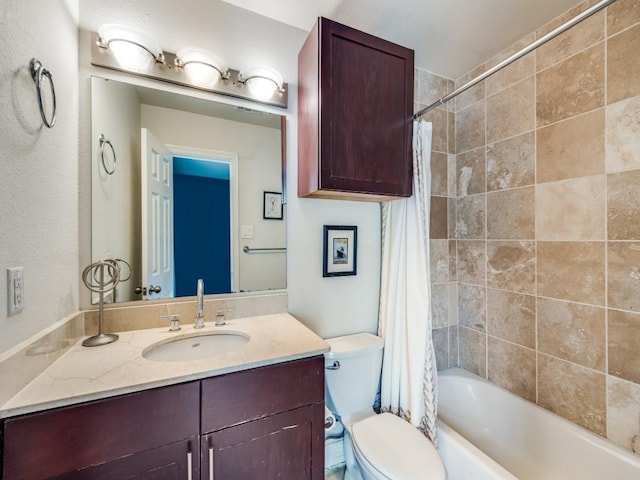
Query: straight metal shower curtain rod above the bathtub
point(521, 53)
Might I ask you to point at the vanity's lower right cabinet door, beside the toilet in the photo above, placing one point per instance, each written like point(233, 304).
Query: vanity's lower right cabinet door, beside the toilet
point(283, 446)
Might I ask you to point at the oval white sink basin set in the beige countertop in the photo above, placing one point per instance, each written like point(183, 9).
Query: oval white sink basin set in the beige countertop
point(195, 346)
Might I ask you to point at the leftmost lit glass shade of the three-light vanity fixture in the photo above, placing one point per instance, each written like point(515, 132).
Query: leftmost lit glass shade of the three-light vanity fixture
point(133, 50)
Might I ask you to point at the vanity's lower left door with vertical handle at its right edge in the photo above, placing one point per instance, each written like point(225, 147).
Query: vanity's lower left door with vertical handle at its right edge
point(180, 460)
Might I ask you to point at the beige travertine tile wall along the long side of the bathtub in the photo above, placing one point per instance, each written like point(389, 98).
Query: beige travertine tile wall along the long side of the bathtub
point(547, 229)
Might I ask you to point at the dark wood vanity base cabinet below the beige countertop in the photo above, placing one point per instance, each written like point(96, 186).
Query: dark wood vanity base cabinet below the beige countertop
point(265, 423)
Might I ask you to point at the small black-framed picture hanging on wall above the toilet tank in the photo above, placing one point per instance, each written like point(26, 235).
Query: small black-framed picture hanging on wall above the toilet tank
point(340, 249)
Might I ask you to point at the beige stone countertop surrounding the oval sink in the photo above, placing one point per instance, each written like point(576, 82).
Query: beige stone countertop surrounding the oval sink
point(90, 373)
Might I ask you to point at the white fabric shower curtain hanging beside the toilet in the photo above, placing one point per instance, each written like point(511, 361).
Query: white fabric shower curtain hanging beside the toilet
point(408, 381)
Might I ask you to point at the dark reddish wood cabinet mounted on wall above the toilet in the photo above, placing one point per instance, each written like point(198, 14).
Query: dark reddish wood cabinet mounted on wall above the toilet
point(355, 109)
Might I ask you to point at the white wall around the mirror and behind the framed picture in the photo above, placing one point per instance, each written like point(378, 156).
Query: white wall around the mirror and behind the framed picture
point(330, 306)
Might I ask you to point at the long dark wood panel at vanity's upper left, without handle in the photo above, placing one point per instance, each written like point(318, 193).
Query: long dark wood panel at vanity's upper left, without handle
point(58, 441)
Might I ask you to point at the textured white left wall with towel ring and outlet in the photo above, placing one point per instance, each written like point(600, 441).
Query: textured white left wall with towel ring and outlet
point(38, 166)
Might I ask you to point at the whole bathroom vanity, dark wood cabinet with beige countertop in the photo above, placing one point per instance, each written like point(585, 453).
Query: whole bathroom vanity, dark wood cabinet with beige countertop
point(248, 423)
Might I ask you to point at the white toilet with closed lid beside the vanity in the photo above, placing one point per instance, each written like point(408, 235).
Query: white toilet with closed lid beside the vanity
point(376, 447)
